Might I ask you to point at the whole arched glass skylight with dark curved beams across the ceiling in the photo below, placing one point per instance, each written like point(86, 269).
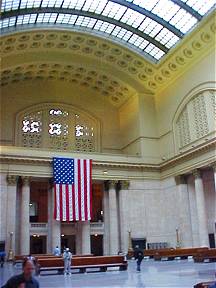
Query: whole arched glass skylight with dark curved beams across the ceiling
point(150, 26)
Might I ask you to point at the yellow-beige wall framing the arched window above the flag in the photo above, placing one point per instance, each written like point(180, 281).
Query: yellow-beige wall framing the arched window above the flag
point(19, 97)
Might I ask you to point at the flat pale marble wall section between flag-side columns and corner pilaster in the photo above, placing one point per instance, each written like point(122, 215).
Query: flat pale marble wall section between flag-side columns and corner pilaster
point(150, 211)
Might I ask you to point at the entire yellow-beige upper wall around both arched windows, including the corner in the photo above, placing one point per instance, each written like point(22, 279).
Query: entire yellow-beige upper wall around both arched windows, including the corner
point(143, 126)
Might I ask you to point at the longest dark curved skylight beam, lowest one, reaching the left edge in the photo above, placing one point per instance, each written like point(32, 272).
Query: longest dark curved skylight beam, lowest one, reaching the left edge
point(16, 13)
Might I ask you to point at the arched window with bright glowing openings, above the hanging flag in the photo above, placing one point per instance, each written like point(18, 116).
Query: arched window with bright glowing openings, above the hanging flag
point(57, 127)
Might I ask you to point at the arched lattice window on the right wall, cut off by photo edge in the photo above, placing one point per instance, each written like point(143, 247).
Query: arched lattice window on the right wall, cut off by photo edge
point(196, 119)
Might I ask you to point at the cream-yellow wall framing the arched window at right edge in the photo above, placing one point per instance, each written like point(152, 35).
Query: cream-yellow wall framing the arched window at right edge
point(199, 76)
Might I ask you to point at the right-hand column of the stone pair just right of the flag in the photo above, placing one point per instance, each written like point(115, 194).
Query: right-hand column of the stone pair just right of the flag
point(123, 229)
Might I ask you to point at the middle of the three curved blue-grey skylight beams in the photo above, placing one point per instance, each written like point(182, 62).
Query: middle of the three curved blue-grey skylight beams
point(151, 15)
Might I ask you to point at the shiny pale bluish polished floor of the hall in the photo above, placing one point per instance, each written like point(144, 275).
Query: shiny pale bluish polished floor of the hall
point(181, 273)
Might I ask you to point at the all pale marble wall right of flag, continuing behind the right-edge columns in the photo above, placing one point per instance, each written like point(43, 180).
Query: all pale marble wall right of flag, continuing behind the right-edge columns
point(153, 210)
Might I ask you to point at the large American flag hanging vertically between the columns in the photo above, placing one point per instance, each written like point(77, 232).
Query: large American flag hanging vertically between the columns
point(72, 188)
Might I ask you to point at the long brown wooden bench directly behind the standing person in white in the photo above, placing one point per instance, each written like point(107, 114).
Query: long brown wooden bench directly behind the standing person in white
point(82, 263)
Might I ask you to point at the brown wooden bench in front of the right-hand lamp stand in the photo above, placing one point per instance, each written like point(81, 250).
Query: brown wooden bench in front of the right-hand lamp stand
point(182, 253)
